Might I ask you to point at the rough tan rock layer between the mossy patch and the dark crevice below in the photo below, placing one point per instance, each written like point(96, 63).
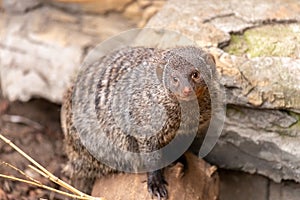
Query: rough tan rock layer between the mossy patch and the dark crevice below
point(266, 82)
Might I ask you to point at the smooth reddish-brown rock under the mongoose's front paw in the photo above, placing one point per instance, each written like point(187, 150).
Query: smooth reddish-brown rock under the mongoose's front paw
point(199, 181)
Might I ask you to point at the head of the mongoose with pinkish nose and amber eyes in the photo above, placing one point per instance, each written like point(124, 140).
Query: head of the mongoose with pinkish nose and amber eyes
point(183, 79)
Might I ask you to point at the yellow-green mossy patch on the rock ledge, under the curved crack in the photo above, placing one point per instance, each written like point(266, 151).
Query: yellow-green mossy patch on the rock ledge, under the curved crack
point(270, 40)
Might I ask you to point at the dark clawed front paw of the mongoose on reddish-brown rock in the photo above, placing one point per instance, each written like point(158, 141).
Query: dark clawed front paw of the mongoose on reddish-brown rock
point(157, 185)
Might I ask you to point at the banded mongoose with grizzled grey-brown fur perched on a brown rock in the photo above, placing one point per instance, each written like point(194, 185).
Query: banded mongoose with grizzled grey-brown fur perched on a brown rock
point(144, 75)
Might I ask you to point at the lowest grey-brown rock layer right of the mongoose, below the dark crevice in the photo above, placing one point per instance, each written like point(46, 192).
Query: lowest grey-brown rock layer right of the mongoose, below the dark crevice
point(255, 141)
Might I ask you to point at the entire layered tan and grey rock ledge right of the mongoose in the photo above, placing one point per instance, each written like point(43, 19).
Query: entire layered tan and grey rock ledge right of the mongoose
point(261, 133)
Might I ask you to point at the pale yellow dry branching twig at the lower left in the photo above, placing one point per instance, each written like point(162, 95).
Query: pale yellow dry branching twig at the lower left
point(40, 169)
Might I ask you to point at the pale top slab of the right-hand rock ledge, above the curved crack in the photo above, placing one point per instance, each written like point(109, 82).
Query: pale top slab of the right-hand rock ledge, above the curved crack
point(211, 26)
